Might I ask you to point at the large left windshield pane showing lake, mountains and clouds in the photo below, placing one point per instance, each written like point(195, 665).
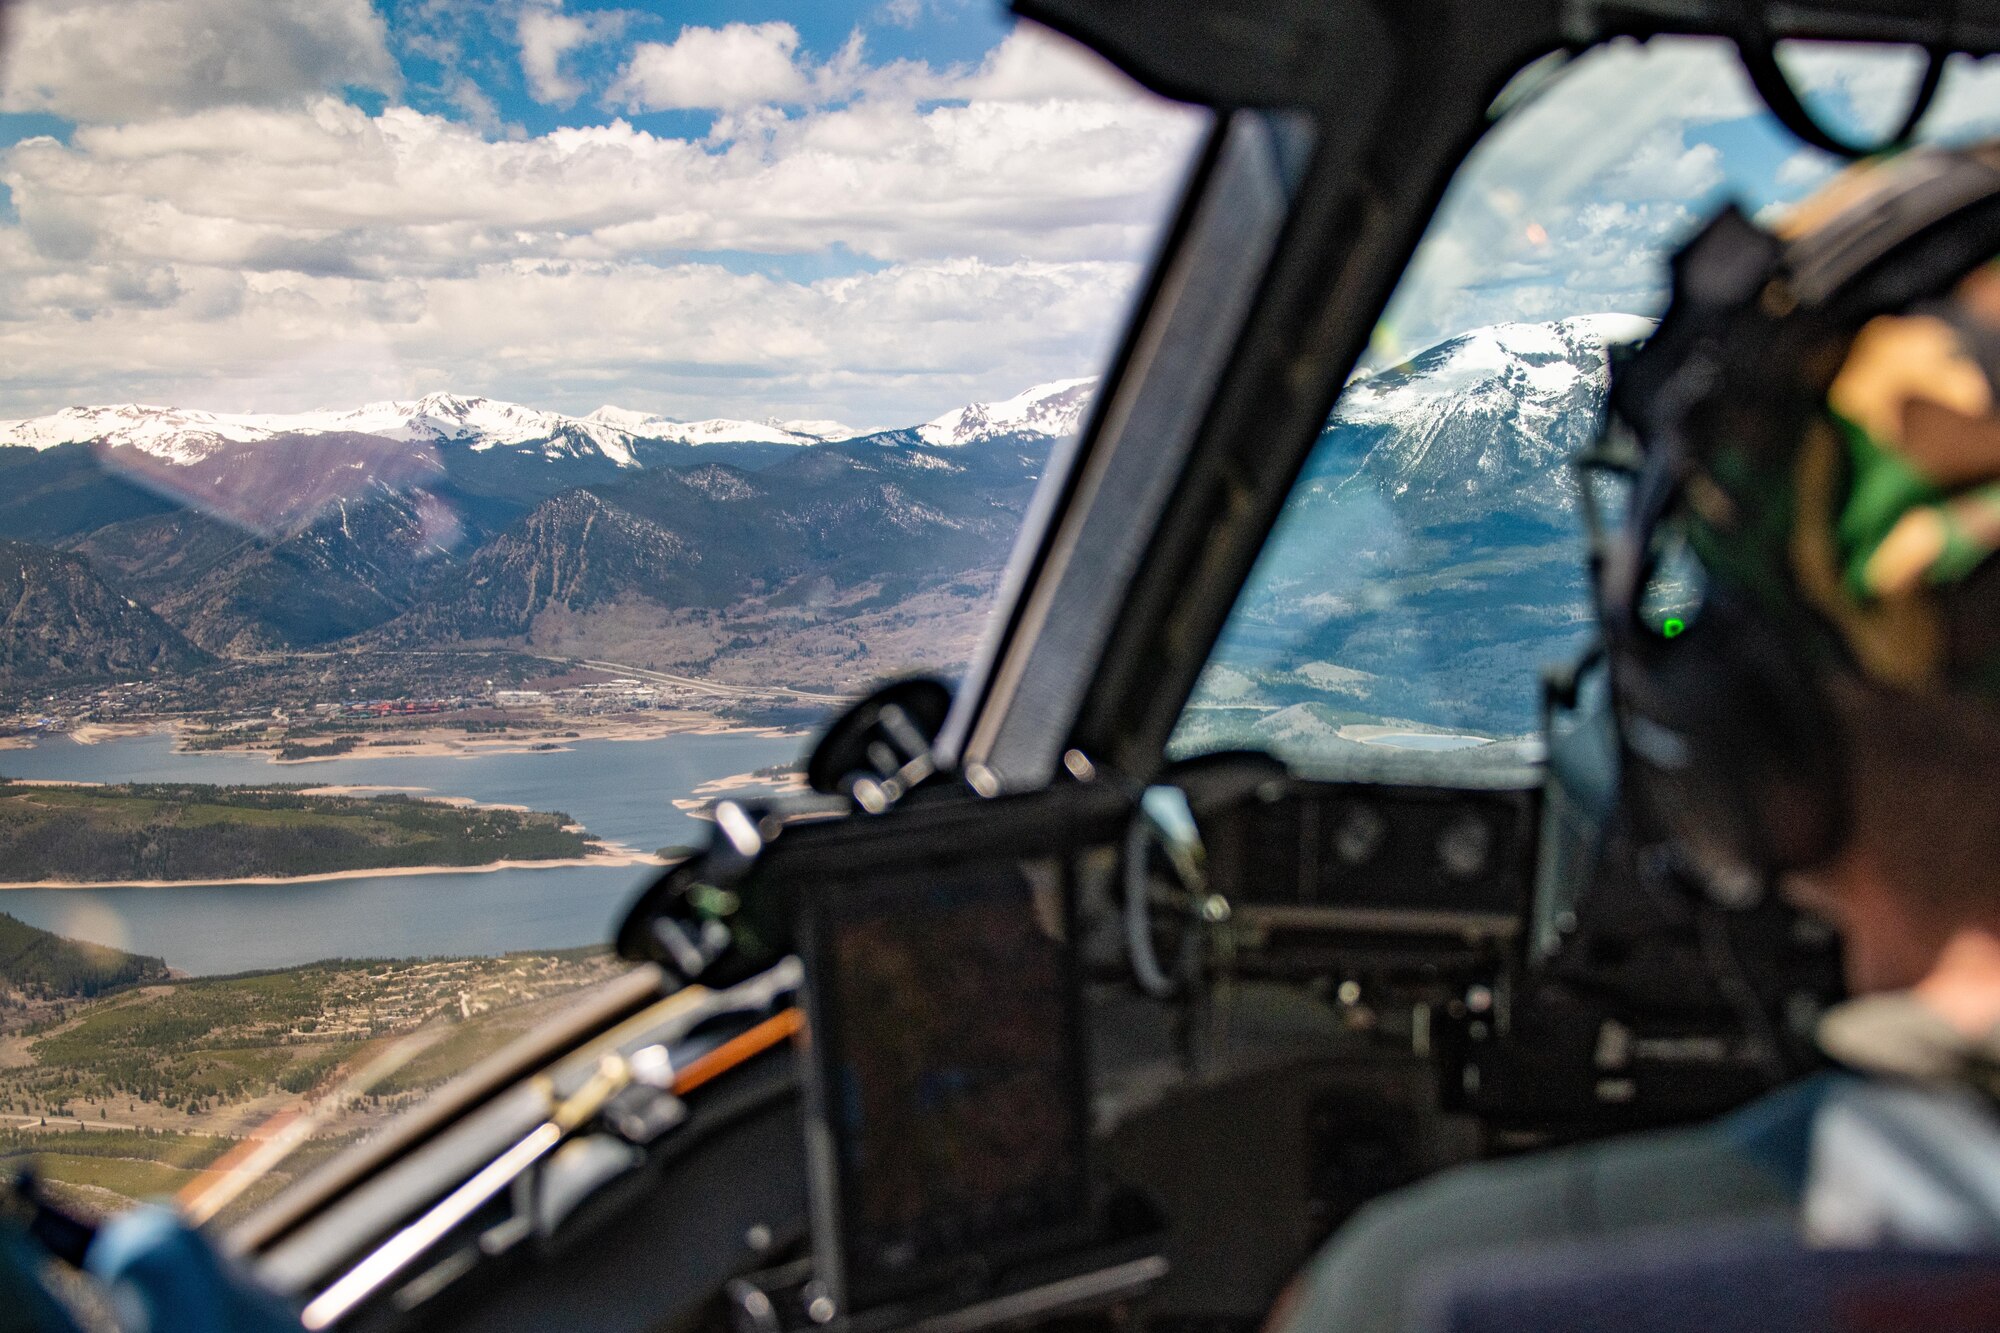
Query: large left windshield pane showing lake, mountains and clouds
point(443, 451)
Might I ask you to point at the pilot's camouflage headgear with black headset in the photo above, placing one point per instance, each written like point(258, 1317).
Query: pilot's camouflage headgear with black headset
point(1819, 495)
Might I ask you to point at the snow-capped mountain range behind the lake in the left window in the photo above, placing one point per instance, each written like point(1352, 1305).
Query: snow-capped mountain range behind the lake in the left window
point(721, 547)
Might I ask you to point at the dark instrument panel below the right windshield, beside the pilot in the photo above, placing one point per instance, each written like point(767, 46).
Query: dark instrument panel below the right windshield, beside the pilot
point(1405, 910)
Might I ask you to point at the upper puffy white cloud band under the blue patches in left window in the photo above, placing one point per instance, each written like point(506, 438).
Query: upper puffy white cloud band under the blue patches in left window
point(331, 189)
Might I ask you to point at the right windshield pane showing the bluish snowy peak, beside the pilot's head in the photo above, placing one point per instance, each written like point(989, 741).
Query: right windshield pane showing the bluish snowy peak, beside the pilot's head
point(1431, 557)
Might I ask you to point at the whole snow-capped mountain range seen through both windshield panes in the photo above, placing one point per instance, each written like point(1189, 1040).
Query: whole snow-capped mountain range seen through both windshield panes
point(1425, 567)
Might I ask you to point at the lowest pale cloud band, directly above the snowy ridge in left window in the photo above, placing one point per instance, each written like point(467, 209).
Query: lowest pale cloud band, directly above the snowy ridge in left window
point(887, 347)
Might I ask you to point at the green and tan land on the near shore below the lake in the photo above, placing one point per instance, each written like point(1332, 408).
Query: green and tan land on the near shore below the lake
point(139, 1094)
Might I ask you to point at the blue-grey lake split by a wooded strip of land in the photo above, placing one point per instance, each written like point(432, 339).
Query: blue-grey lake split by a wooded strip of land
point(621, 792)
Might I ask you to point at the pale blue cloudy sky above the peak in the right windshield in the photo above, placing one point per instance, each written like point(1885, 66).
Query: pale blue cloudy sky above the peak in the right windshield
point(1577, 201)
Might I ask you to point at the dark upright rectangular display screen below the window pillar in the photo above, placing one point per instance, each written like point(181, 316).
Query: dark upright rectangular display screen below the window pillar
point(951, 1082)
